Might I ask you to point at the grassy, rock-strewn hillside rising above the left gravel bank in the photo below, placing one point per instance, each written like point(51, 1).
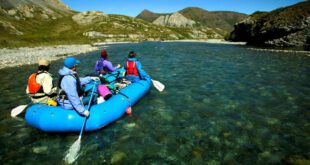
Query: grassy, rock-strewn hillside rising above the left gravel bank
point(51, 22)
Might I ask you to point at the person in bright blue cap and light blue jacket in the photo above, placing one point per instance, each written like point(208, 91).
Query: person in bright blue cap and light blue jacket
point(70, 95)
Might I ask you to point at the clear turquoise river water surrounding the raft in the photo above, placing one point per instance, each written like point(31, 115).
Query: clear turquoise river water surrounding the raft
point(222, 104)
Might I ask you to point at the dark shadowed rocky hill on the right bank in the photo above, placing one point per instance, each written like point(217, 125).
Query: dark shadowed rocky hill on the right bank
point(283, 27)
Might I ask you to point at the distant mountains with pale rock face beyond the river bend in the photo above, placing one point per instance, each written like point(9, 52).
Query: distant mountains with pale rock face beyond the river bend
point(201, 23)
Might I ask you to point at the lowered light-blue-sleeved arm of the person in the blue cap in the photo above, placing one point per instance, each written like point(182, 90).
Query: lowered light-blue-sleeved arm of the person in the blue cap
point(68, 84)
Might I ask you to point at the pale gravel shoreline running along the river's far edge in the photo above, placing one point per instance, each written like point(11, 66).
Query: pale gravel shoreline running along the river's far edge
point(12, 57)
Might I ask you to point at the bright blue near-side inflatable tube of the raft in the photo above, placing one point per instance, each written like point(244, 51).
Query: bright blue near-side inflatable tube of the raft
point(56, 119)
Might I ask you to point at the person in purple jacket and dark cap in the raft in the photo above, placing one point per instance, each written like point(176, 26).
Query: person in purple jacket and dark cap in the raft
point(103, 65)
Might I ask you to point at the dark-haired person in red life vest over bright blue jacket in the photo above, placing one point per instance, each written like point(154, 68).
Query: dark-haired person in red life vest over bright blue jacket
point(134, 71)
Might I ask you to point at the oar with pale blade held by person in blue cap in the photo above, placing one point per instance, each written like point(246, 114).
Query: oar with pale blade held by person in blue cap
point(72, 153)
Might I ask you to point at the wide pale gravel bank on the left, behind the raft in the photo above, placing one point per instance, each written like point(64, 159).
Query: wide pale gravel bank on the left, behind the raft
point(10, 57)
